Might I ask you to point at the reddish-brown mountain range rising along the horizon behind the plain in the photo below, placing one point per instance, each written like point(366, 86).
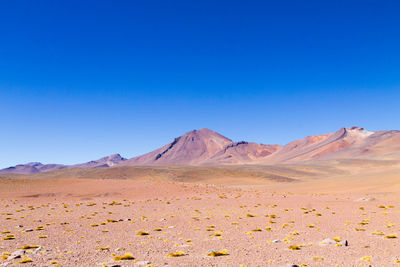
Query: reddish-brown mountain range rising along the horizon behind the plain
point(206, 147)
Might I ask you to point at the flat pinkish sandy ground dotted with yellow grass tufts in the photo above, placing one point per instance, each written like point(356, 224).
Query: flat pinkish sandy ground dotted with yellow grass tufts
point(89, 222)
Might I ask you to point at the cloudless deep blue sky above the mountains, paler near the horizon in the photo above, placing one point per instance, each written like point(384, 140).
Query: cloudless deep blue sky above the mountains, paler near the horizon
point(83, 79)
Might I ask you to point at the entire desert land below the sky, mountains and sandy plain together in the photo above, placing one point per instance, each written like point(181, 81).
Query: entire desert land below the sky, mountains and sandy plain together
point(203, 200)
